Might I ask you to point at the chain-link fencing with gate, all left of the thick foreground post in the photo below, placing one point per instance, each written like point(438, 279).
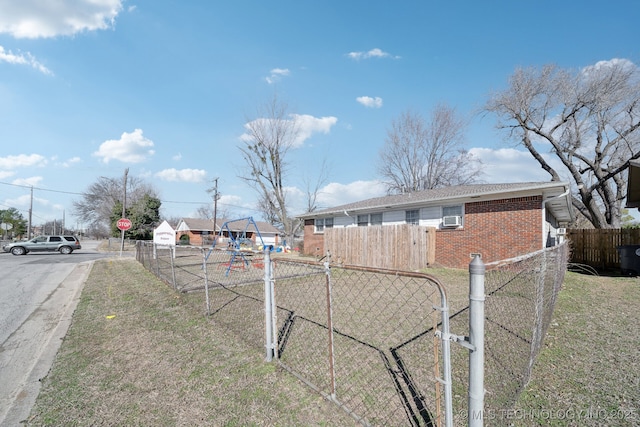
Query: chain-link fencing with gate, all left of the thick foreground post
point(363, 338)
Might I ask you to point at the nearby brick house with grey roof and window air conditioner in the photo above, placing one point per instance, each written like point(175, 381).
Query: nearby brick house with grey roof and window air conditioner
point(497, 221)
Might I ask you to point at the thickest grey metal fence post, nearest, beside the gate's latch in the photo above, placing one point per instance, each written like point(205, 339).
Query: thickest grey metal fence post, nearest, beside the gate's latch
point(476, 340)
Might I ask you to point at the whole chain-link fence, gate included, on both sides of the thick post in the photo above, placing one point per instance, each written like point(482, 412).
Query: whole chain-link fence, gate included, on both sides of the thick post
point(369, 339)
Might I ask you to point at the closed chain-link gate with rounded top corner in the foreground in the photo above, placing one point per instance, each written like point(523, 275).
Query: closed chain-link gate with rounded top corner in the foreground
point(364, 338)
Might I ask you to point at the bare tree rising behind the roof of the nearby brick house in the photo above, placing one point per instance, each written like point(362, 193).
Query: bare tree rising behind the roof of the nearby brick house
point(420, 155)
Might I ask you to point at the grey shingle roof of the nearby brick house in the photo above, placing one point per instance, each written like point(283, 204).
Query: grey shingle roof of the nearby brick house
point(437, 195)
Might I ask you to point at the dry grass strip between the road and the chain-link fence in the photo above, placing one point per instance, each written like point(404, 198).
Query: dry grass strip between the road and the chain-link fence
point(137, 353)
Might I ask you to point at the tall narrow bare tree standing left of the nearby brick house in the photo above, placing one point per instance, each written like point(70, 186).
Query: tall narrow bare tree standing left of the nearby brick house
point(265, 146)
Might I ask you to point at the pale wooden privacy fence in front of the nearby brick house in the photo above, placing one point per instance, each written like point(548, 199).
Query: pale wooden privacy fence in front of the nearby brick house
point(398, 247)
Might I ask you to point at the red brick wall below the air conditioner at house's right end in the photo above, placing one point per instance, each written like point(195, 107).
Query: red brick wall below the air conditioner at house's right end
point(497, 229)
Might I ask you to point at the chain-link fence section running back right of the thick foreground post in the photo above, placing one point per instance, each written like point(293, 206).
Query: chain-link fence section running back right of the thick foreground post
point(521, 295)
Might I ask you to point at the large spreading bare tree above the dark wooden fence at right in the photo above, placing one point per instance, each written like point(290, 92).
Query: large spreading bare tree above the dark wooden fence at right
point(588, 120)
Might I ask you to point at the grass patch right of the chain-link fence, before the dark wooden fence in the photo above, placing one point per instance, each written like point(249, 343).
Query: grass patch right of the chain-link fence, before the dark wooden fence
point(588, 371)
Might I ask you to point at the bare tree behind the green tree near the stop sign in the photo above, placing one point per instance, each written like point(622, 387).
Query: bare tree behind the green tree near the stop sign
point(96, 205)
